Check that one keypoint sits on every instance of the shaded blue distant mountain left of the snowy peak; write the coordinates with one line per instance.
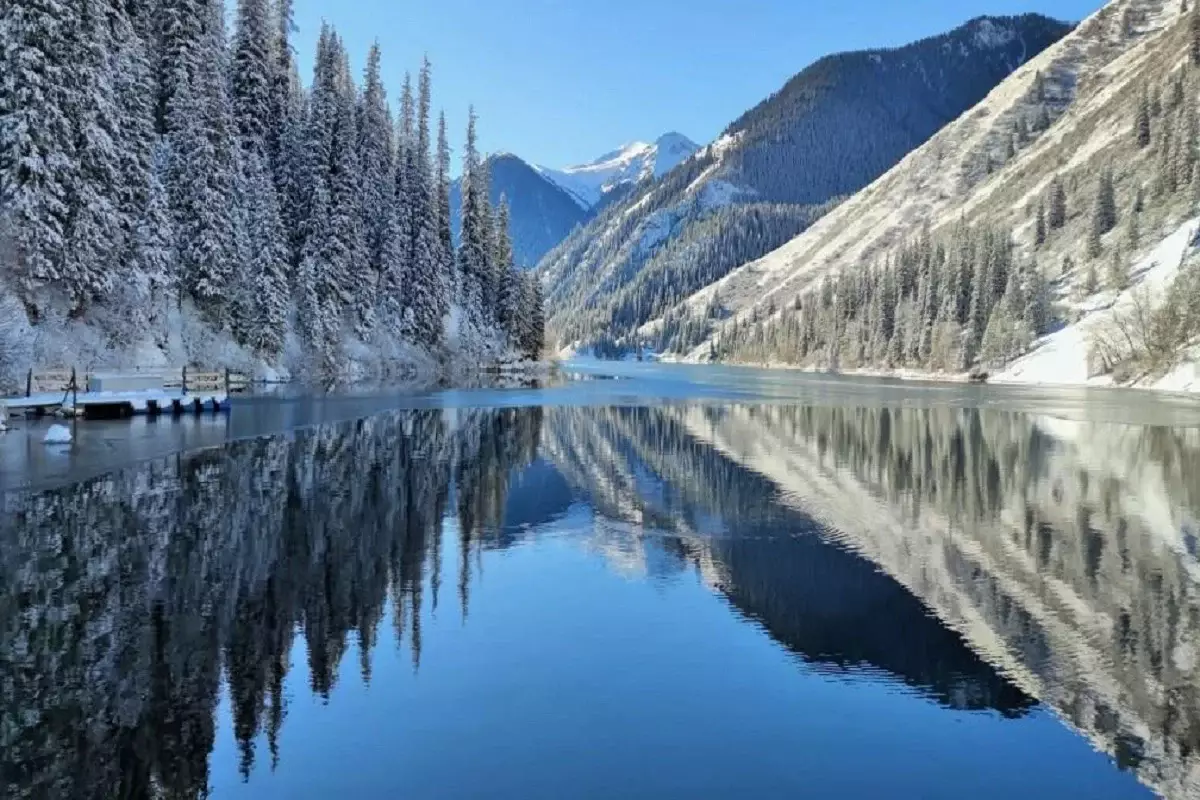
(542, 214)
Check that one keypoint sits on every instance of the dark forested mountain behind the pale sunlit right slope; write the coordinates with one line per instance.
(829, 133)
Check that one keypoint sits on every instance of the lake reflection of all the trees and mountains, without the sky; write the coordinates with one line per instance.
(988, 561)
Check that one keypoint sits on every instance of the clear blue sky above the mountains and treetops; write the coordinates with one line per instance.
(561, 82)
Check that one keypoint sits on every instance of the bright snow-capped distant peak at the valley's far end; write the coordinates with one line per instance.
(615, 172)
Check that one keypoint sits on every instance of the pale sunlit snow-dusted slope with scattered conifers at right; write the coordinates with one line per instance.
(1046, 236)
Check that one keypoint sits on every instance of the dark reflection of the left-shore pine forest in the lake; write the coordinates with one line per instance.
(166, 573)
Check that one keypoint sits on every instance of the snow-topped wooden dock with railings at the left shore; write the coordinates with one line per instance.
(119, 394)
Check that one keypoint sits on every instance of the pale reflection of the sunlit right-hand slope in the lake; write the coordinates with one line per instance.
(1067, 562)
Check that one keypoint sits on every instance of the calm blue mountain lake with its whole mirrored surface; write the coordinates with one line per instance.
(628, 581)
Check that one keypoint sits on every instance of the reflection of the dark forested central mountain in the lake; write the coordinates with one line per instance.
(658, 492)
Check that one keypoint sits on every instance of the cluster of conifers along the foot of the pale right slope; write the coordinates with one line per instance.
(943, 303)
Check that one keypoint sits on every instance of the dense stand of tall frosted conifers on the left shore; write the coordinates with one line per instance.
(170, 194)
